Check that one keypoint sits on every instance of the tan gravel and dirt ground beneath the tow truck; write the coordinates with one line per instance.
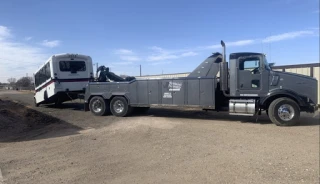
(162, 146)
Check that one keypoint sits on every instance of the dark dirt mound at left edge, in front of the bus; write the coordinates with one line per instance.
(17, 120)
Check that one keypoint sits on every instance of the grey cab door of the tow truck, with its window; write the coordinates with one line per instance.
(252, 79)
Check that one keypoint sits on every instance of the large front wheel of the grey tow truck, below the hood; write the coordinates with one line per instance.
(290, 115)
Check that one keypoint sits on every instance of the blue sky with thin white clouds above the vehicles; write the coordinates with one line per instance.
(163, 36)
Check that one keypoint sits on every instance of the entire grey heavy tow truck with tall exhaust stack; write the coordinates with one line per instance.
(246, 85)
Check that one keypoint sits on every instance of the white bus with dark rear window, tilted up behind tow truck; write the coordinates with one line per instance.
(61, 78)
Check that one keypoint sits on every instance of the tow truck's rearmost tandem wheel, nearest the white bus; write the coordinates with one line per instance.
(98, 106)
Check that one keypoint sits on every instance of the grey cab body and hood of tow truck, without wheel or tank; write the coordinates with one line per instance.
(252, 76)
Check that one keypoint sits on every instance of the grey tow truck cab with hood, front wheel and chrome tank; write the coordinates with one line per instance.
(253, 86)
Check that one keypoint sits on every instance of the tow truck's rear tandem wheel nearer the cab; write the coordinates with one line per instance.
(119, 107)
